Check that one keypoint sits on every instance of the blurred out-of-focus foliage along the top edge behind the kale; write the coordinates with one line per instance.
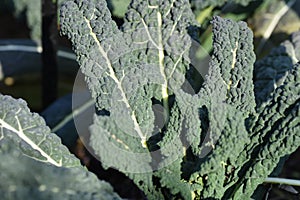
(282, 15)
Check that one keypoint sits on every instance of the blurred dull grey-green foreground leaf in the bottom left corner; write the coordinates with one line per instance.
(24, 178)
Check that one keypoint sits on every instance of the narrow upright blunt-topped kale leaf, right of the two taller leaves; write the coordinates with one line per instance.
(234, 56)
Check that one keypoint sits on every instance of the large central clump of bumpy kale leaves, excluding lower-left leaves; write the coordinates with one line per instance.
(216, 143)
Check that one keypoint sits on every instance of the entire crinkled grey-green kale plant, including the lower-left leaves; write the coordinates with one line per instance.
(152, 121)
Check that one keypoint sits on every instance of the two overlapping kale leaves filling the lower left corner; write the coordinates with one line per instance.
(34, 163)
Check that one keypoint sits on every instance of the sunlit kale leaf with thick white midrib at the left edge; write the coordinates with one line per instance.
(29, 132)
